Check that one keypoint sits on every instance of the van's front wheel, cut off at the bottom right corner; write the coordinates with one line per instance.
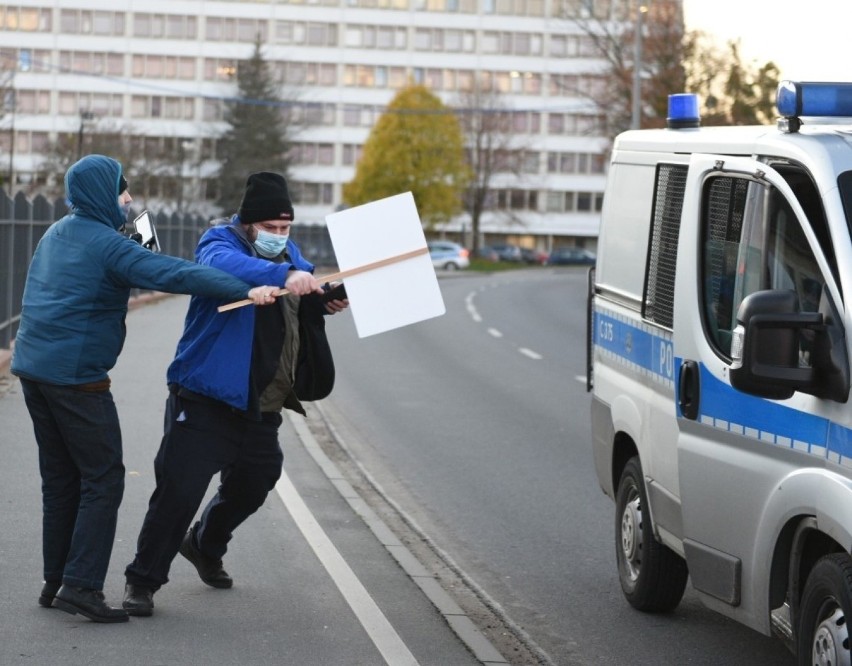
(823, 632)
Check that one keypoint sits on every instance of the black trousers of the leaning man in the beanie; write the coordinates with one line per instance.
(202, 439)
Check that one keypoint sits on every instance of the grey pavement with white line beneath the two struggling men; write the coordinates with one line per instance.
(313, 583)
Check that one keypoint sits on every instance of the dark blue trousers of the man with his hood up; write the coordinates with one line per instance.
(82, 479)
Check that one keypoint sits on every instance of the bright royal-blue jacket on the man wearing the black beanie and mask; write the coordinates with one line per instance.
(214, 354)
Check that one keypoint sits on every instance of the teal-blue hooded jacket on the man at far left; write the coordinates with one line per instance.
(78, 284)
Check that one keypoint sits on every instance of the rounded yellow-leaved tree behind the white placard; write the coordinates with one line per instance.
(415, 146)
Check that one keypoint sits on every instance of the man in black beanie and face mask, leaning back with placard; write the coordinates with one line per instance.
(232, 375)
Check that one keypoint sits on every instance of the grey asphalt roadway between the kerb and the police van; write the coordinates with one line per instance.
(476, 425)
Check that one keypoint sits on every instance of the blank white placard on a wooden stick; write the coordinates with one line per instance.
(390, 296)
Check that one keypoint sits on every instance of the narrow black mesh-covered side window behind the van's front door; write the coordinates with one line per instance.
(662, 250)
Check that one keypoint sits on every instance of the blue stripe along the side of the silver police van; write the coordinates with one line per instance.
(722, 406)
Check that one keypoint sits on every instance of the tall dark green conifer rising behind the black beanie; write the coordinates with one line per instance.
(257, 136)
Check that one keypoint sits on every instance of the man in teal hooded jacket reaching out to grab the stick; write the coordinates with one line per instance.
(71, 332)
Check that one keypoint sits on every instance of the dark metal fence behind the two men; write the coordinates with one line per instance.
(24, 221)
